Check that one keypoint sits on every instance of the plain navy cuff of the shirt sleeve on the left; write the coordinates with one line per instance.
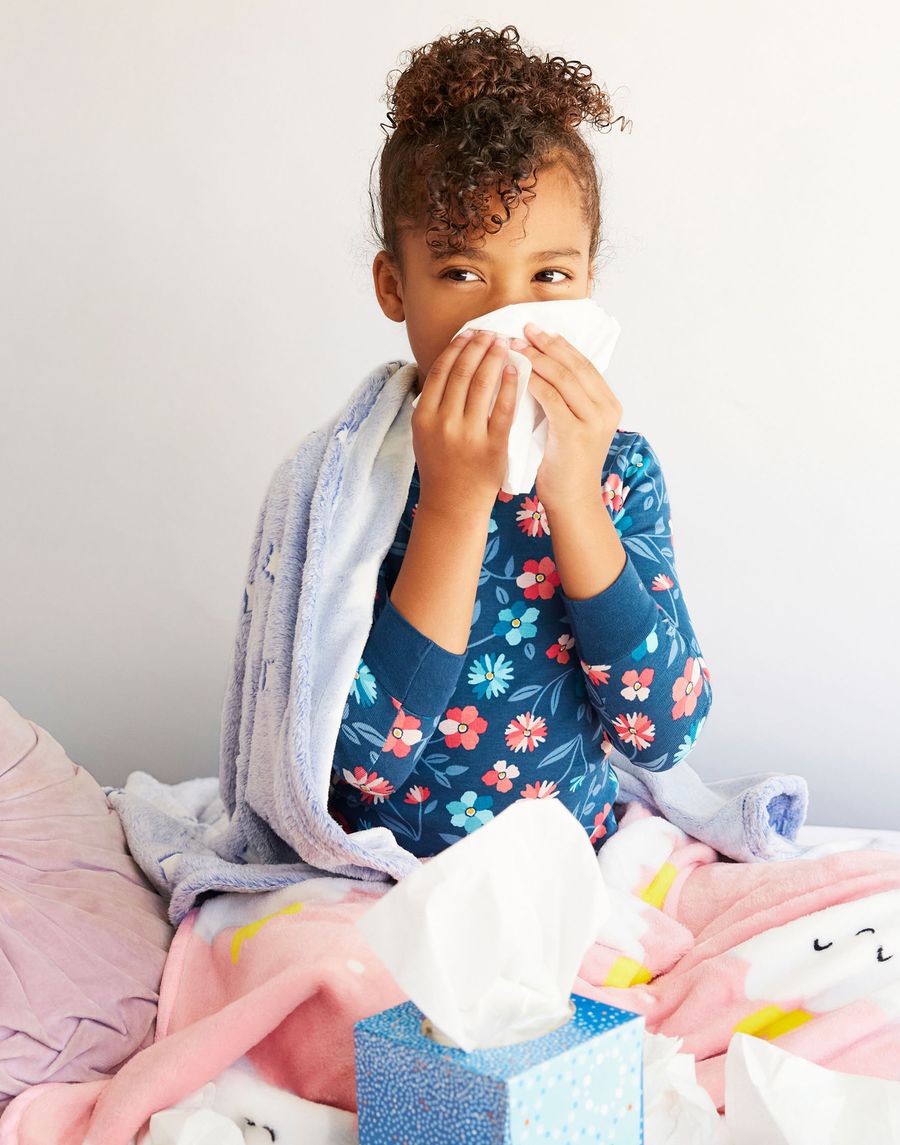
(413, 668)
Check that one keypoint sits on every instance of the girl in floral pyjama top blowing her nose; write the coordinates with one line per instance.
(516, 641)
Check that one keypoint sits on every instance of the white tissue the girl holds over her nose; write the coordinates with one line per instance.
(581, 321)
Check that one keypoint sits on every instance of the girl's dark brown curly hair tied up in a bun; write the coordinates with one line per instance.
(472, 115)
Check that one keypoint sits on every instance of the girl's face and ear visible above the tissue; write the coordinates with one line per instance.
(544, 257)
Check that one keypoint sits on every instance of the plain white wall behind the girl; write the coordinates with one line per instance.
(186, 290)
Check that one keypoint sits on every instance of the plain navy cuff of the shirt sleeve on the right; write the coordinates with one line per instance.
(617, 621)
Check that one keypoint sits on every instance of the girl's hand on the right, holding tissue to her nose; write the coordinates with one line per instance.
(583, 415)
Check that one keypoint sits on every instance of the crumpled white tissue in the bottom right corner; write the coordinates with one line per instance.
(773, 1097)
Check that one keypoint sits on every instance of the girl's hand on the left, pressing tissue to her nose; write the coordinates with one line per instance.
(461, 452)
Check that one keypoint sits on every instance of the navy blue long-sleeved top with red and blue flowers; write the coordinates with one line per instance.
(433, 744)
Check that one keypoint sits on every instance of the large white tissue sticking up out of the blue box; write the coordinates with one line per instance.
(487, 937)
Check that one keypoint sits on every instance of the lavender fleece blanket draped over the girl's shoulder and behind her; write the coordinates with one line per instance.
(328, 519)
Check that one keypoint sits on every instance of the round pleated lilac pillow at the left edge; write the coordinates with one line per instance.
(83, 936)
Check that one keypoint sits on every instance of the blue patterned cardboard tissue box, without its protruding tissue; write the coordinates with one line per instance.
(581, 1083)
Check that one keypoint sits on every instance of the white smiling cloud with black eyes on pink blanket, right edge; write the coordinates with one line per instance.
(826, 960)
